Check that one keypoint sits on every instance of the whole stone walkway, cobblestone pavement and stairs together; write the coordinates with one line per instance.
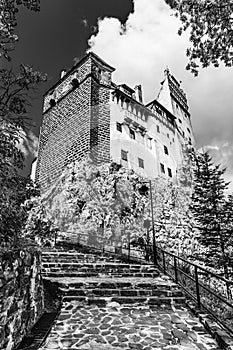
(110, 305)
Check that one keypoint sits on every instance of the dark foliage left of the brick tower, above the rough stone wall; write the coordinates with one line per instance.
(15, 93)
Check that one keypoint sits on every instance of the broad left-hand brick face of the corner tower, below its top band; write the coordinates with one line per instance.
(64, 134)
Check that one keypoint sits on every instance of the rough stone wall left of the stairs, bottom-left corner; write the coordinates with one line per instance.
(21, 294)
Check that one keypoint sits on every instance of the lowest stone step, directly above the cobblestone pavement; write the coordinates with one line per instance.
(152, 300)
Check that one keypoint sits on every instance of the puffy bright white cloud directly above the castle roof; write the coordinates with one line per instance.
(142, 50)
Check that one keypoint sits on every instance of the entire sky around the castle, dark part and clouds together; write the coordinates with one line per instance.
(139, 38)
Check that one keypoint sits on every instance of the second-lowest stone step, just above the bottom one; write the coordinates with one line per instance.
(121, 292)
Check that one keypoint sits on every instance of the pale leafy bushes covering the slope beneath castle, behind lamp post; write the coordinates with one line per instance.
(110, 204)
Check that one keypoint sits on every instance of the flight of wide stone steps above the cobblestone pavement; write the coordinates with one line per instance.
(100, 279)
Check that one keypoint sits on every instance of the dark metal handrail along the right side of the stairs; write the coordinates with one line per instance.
(167, 260)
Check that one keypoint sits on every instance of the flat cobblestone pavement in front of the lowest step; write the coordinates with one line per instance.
(116, 327)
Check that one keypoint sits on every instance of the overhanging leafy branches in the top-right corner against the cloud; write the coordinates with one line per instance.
(211, 35)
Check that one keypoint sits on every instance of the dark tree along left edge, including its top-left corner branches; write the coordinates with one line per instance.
(15, 99)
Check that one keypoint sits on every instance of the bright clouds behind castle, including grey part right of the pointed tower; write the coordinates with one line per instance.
(141, 49)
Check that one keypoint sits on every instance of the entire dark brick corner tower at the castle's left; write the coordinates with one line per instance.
(76, 119)
